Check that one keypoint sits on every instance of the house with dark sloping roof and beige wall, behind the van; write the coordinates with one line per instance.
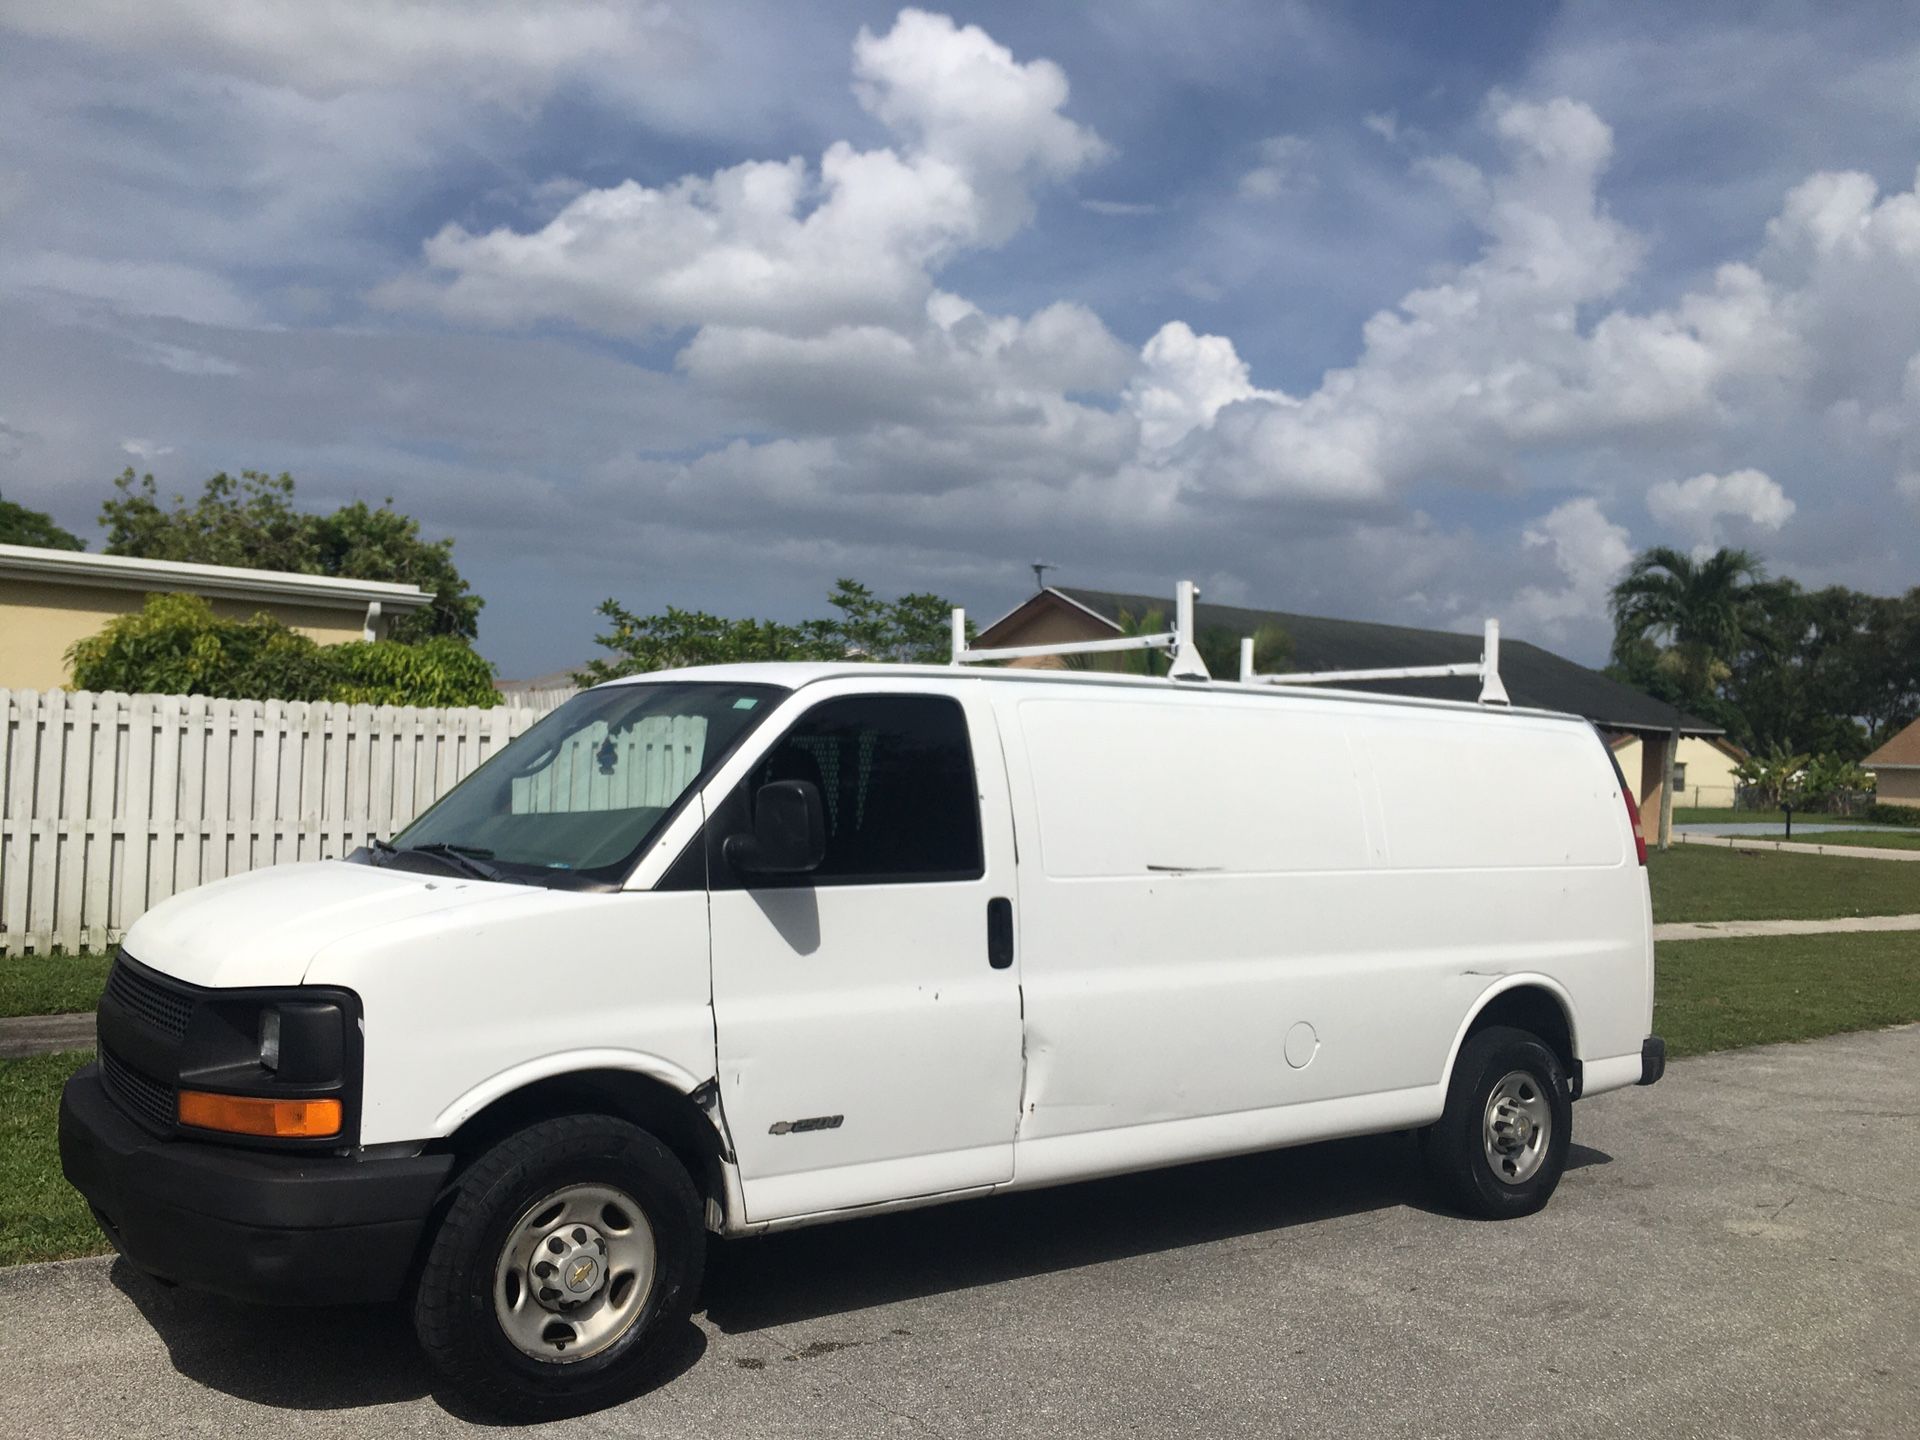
(1533, 677)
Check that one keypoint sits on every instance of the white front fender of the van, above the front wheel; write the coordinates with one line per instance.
(456, 1011)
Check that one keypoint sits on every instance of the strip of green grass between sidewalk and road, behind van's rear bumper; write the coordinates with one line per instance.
(1721, 996)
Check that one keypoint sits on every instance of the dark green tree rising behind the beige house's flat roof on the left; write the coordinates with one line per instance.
(254, 523)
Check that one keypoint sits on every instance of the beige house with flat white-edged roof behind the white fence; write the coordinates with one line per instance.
(51, 598)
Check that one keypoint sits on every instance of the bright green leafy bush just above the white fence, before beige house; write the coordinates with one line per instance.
(178, 646)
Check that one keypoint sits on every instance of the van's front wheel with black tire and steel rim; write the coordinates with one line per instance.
(565, 1270)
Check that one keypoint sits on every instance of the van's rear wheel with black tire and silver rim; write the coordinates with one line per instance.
(1456, 1145)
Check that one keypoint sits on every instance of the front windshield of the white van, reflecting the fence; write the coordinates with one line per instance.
(581, 794)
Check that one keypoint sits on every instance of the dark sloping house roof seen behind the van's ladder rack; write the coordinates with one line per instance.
(1535, 679)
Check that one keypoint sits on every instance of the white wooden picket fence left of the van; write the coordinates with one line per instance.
(112, 804)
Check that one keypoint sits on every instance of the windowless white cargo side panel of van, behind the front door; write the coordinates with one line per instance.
(1234, 905)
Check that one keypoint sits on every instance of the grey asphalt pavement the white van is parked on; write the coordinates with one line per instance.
(1737, 1255)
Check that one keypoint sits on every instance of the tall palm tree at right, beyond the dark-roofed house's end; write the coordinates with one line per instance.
(1702, 610)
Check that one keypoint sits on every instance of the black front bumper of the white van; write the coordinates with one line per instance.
(272, 1228)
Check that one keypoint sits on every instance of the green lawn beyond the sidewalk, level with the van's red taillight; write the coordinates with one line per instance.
(1706, 882)
